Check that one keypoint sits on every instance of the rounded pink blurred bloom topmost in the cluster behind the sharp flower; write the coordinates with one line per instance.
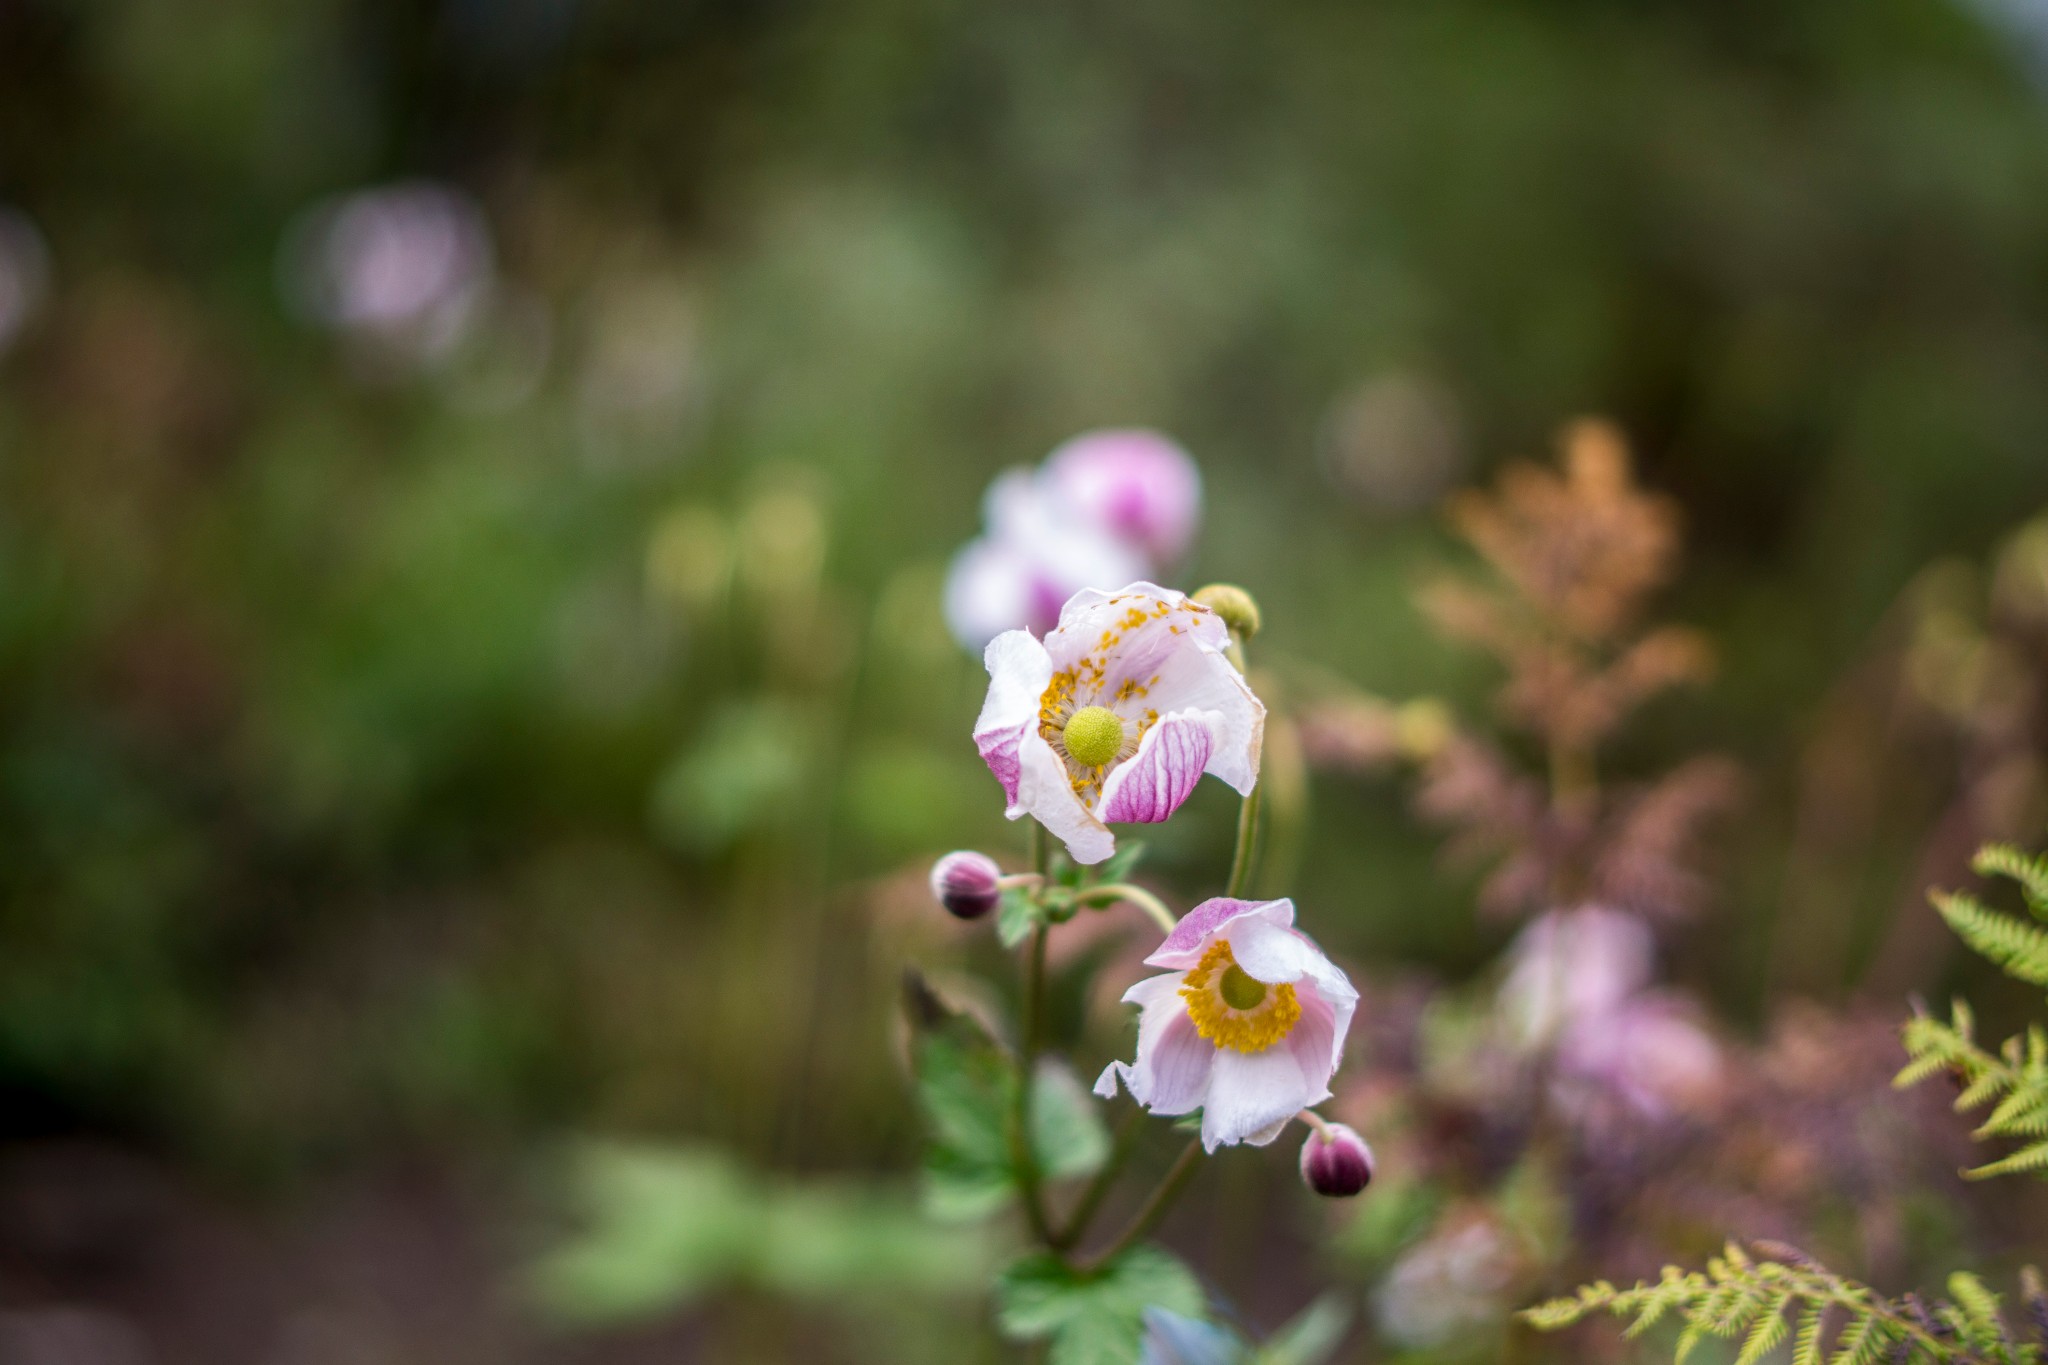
(1136, 484)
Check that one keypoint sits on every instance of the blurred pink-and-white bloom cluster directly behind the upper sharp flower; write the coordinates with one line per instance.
(1107, 509)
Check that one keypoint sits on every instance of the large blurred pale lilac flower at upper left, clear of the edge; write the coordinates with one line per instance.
(404, 267)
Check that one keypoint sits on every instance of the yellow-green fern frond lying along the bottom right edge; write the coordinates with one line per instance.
(1760, 1296)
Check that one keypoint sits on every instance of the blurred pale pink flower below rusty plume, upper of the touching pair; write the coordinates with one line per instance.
(1570, 967)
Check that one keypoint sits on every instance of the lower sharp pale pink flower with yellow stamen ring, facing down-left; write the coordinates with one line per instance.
(1246, 1026)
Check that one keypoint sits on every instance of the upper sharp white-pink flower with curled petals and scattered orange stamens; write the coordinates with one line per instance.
(1117, 715)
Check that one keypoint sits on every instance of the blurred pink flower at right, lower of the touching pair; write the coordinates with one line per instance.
(1652, 1057)
